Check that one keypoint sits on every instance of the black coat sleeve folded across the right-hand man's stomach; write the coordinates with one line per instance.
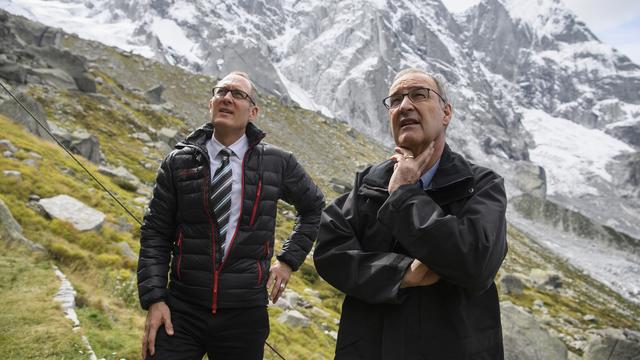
(340, 259)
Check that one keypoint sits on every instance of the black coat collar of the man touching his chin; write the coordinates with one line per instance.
(453, 168)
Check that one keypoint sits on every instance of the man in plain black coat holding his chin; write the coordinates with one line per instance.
(416, 244)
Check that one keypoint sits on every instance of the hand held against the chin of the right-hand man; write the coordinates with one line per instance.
(408, 168)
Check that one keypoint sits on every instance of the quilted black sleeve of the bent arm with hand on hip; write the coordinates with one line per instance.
(300, 191)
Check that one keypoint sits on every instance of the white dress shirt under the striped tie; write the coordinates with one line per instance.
(238, 149)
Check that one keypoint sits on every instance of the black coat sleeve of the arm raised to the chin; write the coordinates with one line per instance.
(467, 249)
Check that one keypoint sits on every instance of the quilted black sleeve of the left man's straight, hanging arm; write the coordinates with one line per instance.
(157, 231)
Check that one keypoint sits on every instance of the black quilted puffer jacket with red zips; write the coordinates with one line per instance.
(179, 225)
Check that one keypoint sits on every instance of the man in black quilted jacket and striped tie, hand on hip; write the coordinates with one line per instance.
(211, 222)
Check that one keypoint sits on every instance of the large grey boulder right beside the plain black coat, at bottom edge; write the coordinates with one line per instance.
(524, 339)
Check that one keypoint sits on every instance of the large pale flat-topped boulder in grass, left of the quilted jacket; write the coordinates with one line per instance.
(67, 208)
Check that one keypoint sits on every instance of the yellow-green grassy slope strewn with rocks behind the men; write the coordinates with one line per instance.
(105, 281)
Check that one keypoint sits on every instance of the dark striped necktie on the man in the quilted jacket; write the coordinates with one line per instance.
(221, 196)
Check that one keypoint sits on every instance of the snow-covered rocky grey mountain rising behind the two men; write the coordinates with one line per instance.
(529, 82)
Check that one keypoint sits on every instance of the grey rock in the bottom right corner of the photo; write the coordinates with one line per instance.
(614, 344)
